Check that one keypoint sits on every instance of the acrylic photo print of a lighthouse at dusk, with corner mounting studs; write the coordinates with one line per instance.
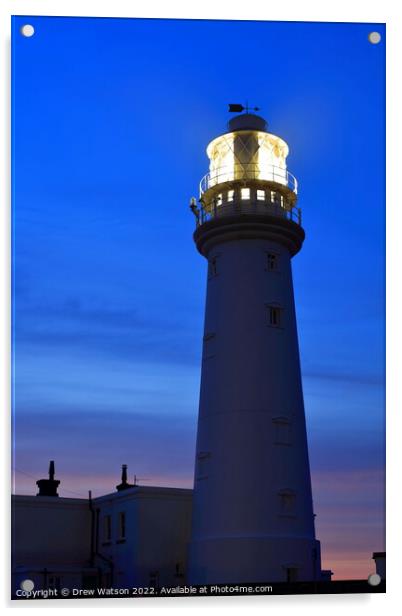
(198, 301)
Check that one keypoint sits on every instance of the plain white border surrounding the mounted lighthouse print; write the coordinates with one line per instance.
(387, 11)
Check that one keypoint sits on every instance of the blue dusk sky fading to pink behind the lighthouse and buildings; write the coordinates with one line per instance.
(111, 121)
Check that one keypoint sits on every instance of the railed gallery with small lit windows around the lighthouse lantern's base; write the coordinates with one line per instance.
(247, 190)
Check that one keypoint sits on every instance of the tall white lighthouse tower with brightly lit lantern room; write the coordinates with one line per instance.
(253, 515)
